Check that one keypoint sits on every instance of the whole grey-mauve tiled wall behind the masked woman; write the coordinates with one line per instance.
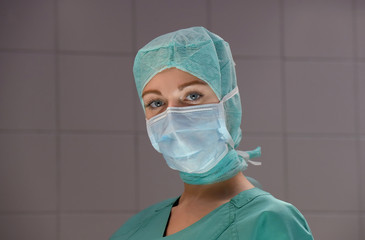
(75, 160)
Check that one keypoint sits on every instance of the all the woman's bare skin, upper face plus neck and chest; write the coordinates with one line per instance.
(175, 88)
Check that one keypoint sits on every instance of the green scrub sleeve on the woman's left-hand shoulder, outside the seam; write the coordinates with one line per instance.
(136, 221)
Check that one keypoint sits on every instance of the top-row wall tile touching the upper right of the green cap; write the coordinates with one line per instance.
(251, 27)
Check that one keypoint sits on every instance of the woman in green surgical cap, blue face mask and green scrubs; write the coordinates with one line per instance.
(187, 85)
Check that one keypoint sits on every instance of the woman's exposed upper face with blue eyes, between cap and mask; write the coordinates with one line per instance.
(175, 88)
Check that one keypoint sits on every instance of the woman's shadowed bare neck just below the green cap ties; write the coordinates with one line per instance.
(221, 191)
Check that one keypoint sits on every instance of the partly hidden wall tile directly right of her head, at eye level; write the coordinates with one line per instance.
(260, 87)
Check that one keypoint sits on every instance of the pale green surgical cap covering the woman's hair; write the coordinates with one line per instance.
(201, 53)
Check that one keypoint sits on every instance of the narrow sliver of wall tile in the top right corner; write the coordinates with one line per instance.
(360, 30)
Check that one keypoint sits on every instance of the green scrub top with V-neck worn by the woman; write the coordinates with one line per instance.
(251, 215)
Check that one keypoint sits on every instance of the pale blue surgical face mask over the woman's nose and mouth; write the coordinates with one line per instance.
(192, 139)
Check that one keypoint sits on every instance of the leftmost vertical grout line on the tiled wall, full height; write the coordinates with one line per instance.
(57, 118)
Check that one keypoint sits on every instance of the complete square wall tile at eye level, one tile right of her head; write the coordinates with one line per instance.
(319, 97)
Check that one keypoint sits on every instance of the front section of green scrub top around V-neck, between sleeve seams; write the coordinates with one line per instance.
(214, 223)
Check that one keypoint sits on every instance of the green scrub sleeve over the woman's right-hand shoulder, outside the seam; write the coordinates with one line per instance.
(271, 218)
